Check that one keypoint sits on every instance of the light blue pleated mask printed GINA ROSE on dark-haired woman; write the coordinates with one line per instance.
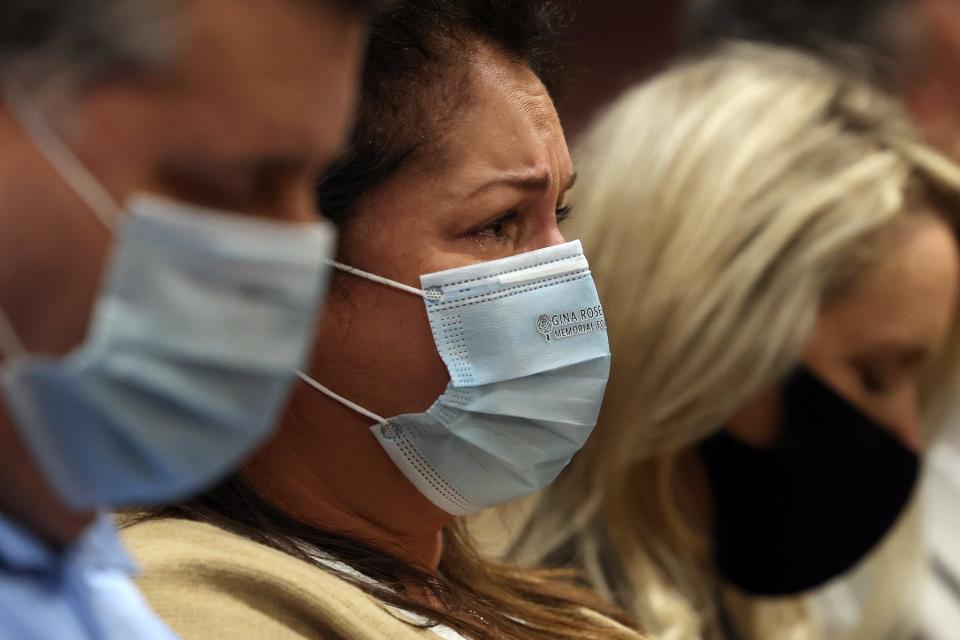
(525, 343)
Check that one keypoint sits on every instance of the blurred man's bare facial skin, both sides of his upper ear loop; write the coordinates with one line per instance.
(255, 105)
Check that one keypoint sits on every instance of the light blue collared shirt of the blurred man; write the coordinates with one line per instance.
(82, 593)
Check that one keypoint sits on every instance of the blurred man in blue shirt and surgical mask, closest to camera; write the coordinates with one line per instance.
(162, 263)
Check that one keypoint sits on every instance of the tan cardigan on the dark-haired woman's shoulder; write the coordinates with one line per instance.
(209, 584)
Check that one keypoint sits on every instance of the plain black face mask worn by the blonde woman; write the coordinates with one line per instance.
(790, 517)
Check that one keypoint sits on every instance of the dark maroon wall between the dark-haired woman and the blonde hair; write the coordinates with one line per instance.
(612, 44)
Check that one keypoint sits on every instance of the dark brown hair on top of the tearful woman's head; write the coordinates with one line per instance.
(416, 77)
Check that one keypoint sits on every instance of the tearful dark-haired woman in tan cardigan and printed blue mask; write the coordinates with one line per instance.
(344, 525)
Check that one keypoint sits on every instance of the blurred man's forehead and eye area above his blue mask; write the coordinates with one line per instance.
(248, 119)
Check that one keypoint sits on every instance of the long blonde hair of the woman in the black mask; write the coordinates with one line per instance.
(721, 204)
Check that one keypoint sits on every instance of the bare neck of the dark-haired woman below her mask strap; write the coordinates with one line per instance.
(329, 471)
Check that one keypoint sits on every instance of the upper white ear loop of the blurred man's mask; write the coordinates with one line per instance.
(59, 155)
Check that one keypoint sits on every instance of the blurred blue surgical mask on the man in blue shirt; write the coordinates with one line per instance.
(200, 320)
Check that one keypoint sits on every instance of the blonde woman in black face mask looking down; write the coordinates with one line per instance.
(777, 255)
